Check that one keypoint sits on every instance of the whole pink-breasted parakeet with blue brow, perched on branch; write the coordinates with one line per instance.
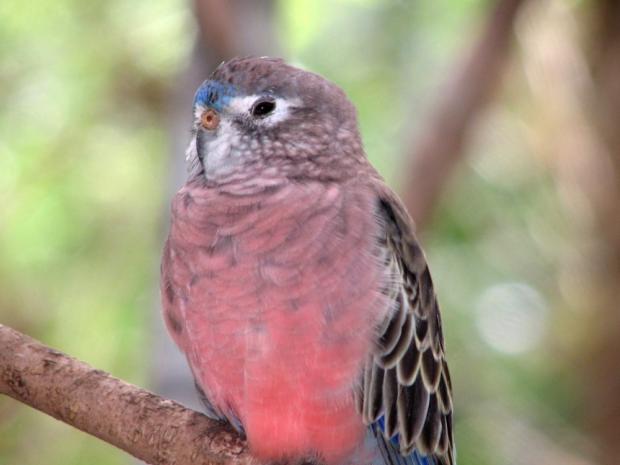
(293, 282)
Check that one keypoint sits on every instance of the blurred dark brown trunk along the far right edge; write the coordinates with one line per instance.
(604, 367)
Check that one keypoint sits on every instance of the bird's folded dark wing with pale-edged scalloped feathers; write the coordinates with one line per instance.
(406, 396)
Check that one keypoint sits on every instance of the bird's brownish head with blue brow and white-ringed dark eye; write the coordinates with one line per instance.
(262, 118)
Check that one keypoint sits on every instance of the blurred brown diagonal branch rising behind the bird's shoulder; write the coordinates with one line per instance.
(441, 143)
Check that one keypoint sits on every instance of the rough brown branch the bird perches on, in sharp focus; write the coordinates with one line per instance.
(153, 429)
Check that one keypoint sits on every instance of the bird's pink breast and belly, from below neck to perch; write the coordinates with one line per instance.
(280, 298)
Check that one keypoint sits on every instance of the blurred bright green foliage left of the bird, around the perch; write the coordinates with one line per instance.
(82, 156)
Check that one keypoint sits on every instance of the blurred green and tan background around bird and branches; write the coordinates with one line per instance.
(519, 241)
